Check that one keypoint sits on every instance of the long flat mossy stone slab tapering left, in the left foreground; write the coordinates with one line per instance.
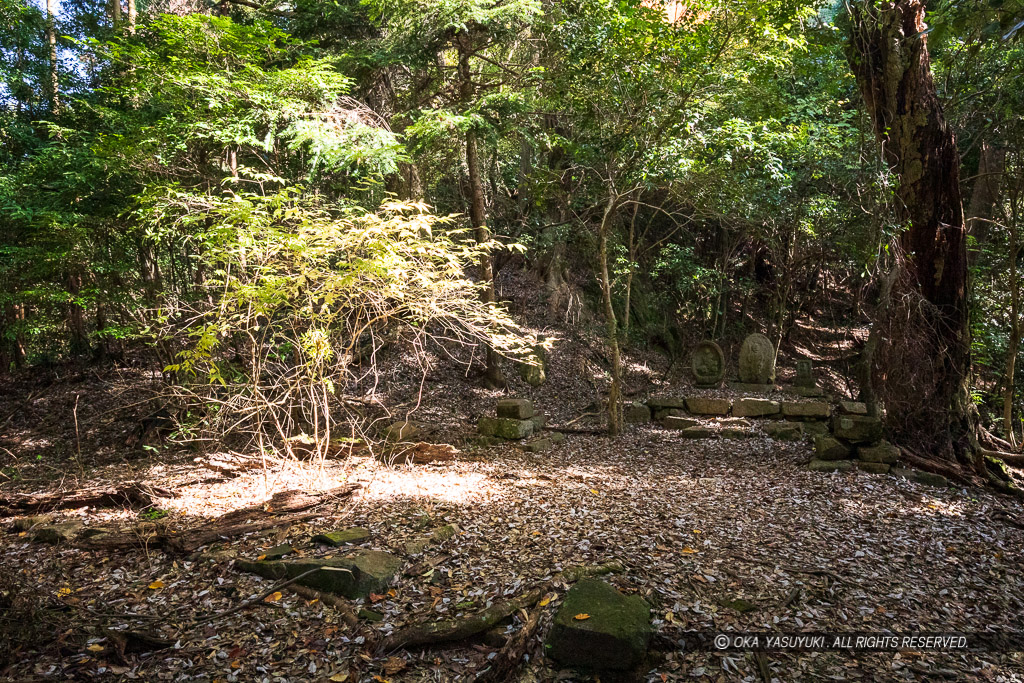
(356, 576)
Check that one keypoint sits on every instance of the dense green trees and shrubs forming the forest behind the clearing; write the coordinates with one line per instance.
(266, 203)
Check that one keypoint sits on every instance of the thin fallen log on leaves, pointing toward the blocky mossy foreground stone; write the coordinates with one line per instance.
(459, 629)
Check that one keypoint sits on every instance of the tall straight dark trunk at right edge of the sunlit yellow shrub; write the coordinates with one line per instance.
(478, 206)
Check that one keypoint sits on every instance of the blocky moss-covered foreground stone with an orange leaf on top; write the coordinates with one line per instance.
(599, 628)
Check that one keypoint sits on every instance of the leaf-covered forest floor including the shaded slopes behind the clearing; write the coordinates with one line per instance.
(715, 535)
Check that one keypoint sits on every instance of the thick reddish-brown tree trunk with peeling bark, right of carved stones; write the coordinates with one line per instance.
(889, 57)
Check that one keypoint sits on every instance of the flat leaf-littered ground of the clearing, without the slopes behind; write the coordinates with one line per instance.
(698, 526)
